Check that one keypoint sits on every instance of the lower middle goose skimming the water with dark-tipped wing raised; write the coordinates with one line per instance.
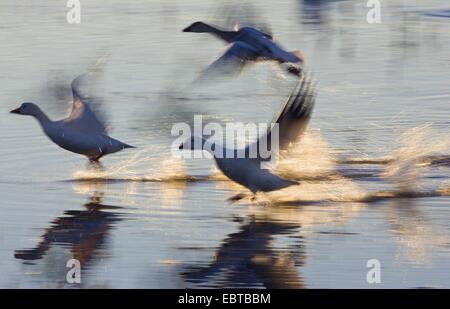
(246, 170)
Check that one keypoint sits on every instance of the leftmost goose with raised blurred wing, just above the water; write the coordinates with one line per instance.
(81, 132)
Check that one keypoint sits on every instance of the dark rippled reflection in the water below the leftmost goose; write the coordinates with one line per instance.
(84, 232)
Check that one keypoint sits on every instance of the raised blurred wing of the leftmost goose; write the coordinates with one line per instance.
(82, 115)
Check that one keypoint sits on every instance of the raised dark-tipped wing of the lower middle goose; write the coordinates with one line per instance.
(293, 119)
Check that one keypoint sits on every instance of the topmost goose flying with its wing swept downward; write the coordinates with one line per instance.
(248, 44)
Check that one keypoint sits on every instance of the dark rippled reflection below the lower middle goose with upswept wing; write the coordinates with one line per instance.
(247, 259)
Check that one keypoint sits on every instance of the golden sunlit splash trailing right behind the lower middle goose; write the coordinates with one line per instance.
(314, 164)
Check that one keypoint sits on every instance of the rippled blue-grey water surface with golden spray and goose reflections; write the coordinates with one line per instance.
(374, 167)
